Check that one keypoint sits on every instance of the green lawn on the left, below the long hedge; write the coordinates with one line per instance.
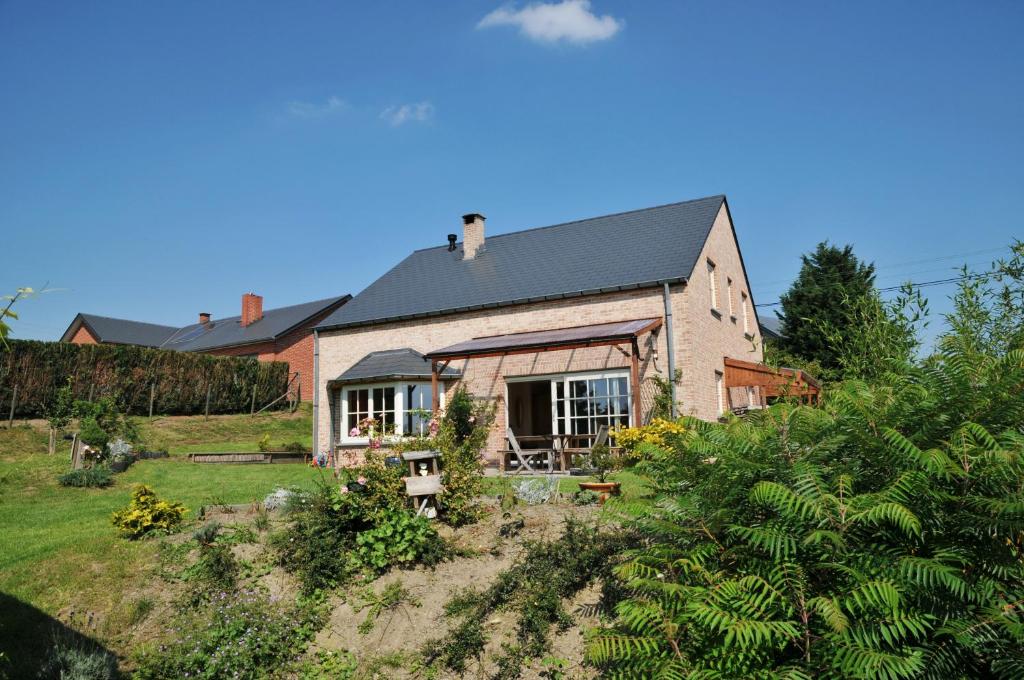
(59, 550)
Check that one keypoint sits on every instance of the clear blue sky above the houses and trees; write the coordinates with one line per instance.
(161, 159)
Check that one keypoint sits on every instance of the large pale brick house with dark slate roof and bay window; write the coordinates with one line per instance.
(565, 328)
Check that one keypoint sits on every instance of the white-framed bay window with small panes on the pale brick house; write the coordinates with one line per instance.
(400, 409)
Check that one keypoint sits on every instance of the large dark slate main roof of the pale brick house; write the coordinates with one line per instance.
(563, 261)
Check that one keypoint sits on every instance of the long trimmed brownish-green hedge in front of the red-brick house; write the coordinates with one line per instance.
(125, 372)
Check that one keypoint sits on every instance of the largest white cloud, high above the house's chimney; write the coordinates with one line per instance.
(571, 21)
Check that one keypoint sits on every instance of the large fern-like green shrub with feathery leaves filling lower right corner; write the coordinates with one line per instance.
(881, 536)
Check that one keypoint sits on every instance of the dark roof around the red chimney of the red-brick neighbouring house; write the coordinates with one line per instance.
(230, 332)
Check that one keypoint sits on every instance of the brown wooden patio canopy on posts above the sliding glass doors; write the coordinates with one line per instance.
(612, 334)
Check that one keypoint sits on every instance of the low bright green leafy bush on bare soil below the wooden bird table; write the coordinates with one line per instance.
(398, 538)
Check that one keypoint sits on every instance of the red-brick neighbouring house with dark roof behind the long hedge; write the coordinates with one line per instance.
(284, 334)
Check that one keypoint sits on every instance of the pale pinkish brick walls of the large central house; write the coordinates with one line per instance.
(702, 342)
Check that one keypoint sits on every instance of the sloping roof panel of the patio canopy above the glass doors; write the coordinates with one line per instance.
(576, 336)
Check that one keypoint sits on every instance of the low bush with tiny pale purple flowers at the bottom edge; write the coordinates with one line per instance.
(240, 636)
